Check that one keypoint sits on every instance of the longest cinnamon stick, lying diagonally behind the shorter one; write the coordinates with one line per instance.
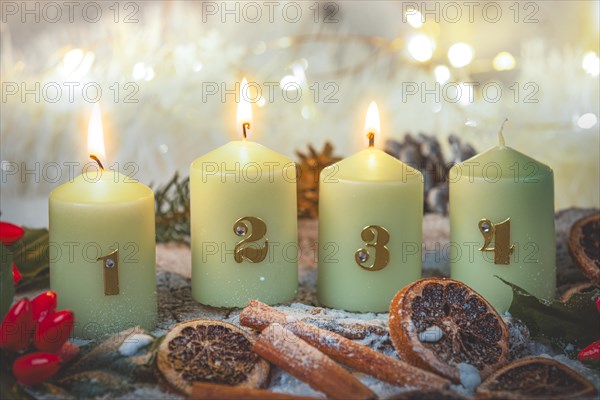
(361, 358)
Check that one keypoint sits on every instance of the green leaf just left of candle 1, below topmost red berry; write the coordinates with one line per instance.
(31, 253)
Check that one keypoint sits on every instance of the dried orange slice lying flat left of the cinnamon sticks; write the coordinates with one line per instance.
(210, 351)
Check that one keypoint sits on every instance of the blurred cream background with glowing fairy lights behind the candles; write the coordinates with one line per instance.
(170, 55)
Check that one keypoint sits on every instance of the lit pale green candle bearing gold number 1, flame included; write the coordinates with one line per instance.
(102, 246)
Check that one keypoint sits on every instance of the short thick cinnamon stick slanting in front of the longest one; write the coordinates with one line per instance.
(292, 354)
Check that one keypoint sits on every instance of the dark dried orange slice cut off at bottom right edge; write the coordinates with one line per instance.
(536, 378)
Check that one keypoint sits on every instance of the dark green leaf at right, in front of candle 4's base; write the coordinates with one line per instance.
(575, 322)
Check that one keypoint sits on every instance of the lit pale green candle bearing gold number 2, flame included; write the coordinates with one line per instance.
(243, 221)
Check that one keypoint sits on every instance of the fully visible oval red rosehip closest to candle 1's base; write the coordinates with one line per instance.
(53, 331)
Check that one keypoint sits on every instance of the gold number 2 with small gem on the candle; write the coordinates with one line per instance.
(252, 229)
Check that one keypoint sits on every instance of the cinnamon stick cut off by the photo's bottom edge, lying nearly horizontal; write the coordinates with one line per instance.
(211, 391)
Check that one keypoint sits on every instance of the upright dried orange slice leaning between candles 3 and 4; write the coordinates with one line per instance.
(438, 324)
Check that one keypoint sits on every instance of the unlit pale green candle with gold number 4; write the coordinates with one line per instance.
(502, 224)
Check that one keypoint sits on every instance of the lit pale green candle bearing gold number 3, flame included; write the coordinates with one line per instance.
(370, 216)
